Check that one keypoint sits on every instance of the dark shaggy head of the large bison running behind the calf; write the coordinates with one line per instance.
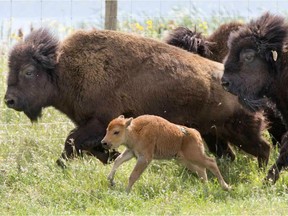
(31, 76)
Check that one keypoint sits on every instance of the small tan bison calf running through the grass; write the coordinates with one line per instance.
(150, 137)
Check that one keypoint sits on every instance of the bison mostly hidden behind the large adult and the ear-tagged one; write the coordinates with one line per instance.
(215, 48)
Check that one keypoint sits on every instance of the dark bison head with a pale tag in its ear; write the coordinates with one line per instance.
(254, 59)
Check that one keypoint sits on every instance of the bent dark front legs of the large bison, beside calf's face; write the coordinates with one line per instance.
(87, 138)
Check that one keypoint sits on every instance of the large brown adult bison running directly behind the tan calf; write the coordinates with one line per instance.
(94, 76)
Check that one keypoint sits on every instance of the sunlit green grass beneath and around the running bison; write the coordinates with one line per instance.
(31, 182)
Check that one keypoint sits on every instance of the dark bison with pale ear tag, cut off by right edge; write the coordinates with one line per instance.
(256, 69)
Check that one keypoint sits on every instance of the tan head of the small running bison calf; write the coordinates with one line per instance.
(116, 132)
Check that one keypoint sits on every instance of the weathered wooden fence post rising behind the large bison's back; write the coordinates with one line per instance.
(111, 14)
